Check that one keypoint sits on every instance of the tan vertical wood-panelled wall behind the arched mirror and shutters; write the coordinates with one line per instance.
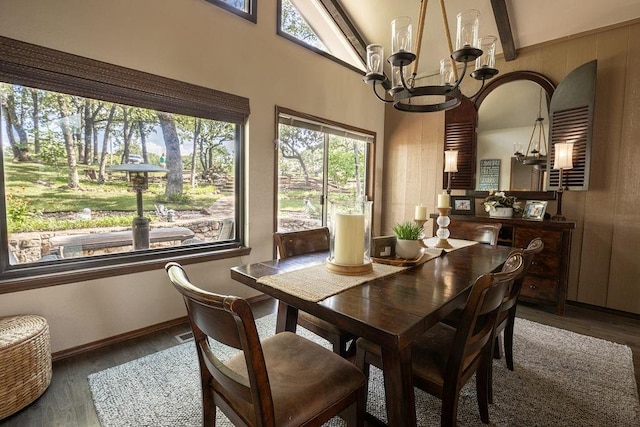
(605, 270)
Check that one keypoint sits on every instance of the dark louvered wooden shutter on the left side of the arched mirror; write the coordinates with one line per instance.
(460, 134)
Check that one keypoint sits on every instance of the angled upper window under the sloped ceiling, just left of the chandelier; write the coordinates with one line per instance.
(323, 27)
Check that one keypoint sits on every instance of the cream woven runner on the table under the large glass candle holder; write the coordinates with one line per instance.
(317, 283)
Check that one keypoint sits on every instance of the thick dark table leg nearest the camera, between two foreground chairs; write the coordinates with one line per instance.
(398, 385)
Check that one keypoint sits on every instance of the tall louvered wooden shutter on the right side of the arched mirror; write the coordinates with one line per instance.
(571, 113)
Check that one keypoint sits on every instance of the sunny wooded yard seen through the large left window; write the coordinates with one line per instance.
(57, 150)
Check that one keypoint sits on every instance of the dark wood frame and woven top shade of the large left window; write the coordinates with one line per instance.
(36, 66)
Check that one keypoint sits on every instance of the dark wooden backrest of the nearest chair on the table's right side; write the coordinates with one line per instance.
(475, 332)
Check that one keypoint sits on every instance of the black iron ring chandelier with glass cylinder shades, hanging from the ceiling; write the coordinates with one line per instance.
(406, 95)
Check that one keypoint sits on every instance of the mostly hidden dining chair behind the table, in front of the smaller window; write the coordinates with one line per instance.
(304, 242)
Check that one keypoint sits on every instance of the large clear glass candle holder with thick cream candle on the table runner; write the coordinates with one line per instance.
(350, 238)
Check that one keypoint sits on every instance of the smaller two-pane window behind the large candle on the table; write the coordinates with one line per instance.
(319, 161)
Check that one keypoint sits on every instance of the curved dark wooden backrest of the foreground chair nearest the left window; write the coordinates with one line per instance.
(228, 320)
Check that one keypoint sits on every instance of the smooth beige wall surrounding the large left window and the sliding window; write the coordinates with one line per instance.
(195, 42)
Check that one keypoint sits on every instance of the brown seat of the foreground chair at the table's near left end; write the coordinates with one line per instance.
(300, 371)
